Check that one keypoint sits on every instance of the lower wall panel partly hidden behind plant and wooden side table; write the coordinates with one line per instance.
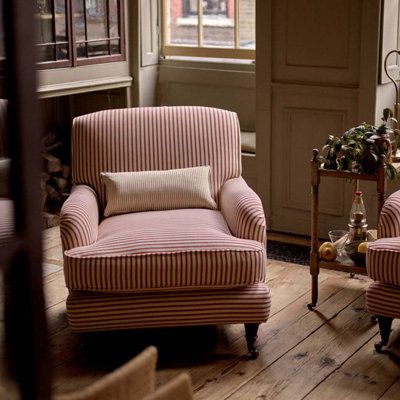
(303, 117)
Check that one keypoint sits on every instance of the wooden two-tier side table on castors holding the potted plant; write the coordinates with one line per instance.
(316, 173)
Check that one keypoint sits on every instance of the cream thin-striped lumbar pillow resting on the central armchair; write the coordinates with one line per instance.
(157, 190)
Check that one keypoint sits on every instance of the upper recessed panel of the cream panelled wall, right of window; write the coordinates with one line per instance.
(316, 41)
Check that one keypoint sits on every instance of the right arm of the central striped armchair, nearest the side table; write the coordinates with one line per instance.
(243, 210)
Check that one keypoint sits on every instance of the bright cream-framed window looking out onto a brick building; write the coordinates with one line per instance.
(209, 28)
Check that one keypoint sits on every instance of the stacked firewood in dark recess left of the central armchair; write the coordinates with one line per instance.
(55, 178)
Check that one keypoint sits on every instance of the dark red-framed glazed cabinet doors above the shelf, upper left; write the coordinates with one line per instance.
(79, 32)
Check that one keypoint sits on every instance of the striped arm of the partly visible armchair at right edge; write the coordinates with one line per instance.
(389, 219)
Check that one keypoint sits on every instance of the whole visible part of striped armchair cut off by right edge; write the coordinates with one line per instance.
(383, 266)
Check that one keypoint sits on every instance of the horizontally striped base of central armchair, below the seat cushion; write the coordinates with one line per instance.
(91, 311)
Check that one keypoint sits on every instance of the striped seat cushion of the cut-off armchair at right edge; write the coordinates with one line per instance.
(383, 260)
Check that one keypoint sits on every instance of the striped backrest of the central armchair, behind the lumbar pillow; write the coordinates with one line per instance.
(144, 139)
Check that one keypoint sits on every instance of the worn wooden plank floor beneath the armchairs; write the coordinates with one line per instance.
(320, 355)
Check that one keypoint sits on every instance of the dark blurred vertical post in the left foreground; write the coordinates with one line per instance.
(26, 332)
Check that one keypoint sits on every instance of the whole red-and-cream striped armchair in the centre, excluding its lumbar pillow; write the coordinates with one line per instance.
(169, 267)
